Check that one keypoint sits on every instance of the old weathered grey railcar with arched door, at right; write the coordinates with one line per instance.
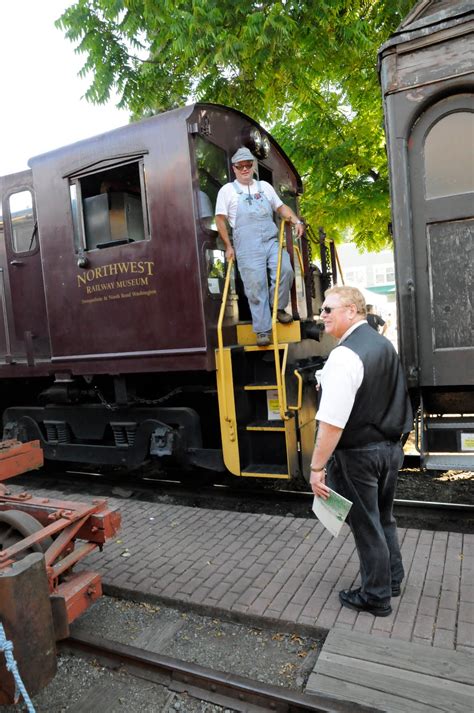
(427, 77)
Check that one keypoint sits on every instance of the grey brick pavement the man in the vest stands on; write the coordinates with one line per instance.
(287, 571)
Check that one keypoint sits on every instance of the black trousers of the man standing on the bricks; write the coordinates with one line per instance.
(367, 476)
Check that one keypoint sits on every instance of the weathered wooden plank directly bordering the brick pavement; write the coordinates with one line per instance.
(450, 665)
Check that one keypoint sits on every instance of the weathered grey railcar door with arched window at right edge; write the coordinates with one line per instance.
(441, 151)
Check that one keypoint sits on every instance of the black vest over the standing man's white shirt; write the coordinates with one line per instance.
(382, 409)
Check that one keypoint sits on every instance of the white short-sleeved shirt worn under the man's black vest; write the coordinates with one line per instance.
(340, 378)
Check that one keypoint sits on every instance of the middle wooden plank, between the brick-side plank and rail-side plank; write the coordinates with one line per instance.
(442, 695)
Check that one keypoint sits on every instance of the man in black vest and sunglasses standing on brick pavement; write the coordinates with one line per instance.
(363, 412)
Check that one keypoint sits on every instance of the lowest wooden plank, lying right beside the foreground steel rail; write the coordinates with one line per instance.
(386, 702)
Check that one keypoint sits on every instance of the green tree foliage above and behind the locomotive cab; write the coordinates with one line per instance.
(305, 69)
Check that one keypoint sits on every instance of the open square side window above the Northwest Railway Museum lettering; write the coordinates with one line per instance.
(109, 207)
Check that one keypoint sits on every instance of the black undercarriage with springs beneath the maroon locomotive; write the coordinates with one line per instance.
(122, 431)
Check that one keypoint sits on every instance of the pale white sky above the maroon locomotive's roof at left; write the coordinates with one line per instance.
(41, 102)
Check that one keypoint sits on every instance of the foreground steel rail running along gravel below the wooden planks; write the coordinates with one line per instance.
(201, 682)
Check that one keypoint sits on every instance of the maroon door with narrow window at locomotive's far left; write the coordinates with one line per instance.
(25, 332)
